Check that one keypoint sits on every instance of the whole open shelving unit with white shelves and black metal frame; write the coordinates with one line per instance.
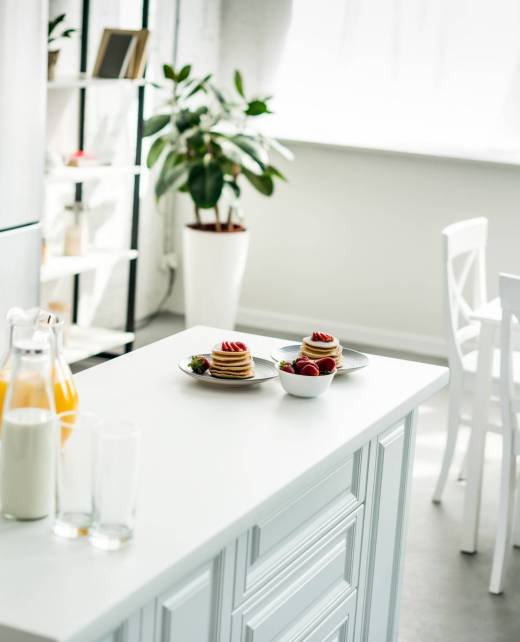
(86, 341)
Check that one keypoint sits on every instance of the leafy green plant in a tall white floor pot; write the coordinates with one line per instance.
(205, 146)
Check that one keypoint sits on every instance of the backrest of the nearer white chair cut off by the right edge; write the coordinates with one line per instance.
(510, 300)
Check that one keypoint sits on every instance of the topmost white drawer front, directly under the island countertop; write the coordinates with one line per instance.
(279, 539)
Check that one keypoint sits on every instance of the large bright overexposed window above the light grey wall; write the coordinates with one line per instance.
(403, 72)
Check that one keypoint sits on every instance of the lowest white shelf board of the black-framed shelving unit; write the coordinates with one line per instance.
(84, 342)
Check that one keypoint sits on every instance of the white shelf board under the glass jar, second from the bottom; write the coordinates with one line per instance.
(58, 267)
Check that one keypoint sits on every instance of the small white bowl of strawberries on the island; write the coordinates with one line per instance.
(306, 377)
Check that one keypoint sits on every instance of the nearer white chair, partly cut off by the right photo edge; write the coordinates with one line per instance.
(510, 406)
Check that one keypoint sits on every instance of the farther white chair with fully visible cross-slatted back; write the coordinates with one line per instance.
(464, 275)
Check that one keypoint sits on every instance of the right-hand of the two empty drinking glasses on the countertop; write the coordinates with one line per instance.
(116, 474)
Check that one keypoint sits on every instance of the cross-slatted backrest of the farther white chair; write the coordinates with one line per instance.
(464, 264)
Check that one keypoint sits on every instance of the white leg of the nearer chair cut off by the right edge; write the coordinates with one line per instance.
(505, 518)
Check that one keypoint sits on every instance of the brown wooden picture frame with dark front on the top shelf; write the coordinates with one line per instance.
(122, 53)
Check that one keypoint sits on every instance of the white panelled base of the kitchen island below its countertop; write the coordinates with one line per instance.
(323, 566)
